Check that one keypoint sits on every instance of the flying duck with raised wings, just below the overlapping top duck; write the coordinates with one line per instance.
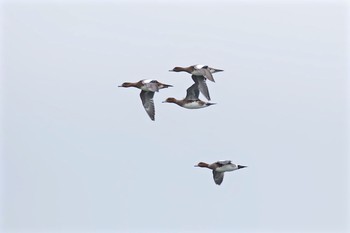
(191, 100)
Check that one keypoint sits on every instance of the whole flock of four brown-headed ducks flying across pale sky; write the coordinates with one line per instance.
(199, 74)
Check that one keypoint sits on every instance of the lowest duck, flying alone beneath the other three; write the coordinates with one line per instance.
(219, 168)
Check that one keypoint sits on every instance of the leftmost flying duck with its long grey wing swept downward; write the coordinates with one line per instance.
(148, 88)
